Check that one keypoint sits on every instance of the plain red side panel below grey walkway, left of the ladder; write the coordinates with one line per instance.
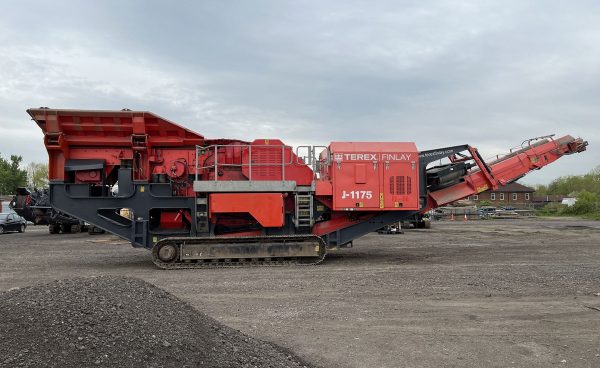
(266, 208)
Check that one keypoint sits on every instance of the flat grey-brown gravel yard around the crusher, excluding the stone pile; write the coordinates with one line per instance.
(498, 293)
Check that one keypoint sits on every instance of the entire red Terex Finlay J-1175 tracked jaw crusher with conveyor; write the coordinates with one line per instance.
(198, 202)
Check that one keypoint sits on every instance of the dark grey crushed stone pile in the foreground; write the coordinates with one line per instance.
(120, 322)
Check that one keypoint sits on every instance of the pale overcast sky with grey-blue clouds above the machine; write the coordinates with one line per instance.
(439, 73)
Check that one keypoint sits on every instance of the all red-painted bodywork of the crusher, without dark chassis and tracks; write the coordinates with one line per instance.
(356, 181)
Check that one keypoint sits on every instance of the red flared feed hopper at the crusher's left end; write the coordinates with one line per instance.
(112, 136)
